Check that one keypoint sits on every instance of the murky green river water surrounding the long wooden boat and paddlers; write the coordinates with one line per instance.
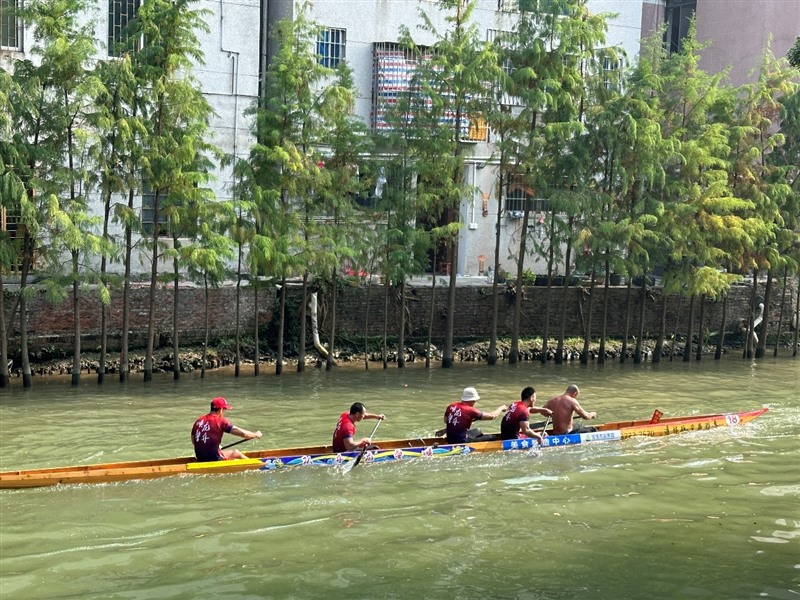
(711, 514)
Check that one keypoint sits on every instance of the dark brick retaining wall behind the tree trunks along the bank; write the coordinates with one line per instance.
(50, 325)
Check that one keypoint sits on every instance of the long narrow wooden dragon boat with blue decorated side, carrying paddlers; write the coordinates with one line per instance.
(392, 450)
